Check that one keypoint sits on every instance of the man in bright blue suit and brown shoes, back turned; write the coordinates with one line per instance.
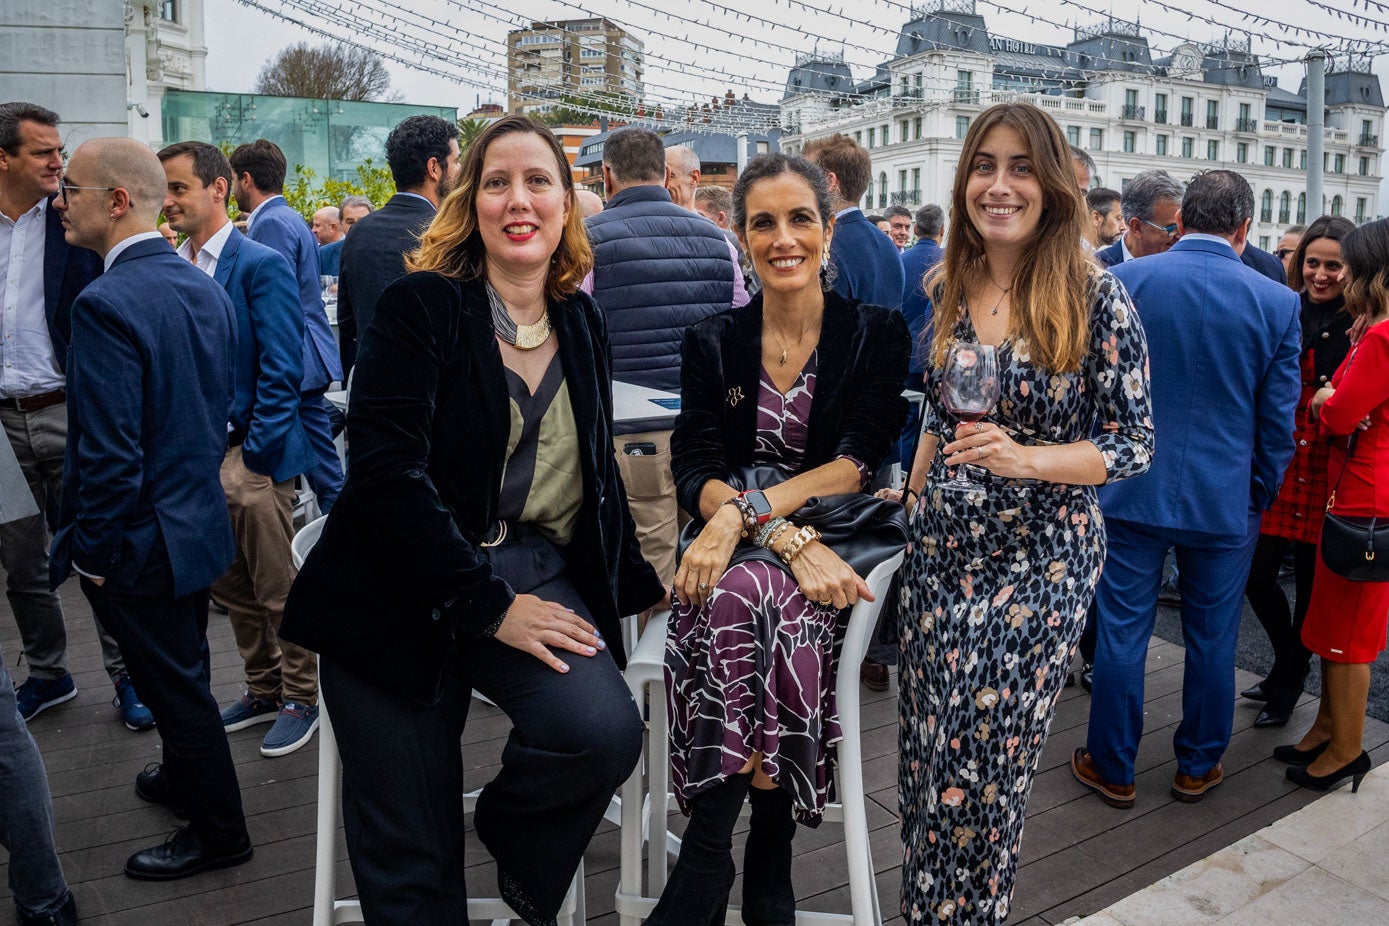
(1224, 344)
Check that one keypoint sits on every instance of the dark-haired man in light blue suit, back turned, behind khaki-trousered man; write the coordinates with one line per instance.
(258, 183)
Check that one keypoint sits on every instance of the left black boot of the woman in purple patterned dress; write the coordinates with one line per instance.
(697, 893)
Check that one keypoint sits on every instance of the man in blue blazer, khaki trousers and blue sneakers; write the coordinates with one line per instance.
(267, 445)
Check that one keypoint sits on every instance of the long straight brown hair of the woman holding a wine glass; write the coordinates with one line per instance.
(1049, 284)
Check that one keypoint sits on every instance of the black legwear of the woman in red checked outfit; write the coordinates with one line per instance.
(1270, 606)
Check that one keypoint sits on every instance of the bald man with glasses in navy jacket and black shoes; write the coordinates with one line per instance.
(144, 519)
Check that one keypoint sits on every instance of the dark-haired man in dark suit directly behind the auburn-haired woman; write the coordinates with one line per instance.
(423, 153)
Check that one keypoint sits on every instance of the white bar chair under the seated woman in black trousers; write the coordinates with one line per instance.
(328, 910)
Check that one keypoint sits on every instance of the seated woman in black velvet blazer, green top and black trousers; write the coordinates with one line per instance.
(417, 595)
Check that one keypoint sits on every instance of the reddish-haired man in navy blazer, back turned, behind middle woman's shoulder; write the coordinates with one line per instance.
(866, 263)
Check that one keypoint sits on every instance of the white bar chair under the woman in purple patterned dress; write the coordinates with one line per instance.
(645, 821)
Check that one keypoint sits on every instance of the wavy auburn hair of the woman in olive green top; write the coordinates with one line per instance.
(454, 245)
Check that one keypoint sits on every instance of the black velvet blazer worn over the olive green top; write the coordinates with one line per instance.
(395, 584)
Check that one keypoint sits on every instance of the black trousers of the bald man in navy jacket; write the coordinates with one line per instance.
(165, 643)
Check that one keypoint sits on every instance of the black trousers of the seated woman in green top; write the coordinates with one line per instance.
(576, 738)
